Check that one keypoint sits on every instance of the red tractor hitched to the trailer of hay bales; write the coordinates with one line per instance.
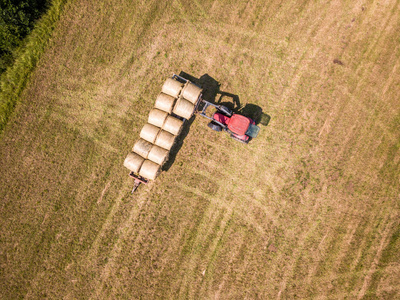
(240, 128)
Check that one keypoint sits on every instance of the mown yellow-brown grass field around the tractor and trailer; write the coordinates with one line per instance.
(309, 209)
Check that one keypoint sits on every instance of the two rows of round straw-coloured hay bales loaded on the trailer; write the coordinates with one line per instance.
(158, 136)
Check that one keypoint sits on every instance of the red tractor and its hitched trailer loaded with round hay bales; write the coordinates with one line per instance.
(178, 101)
